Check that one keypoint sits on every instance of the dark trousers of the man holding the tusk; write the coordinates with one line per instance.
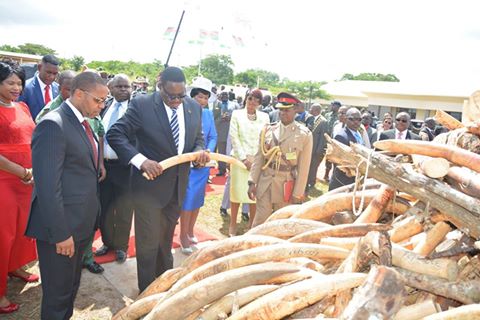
(154, 228)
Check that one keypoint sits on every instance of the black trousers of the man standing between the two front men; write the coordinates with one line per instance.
(117, 207)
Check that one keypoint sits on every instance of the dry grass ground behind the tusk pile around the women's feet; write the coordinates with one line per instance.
(210, 220)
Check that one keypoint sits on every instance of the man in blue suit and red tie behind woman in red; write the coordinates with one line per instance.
(41, 89)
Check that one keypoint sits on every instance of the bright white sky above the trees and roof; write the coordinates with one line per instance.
(425, 42)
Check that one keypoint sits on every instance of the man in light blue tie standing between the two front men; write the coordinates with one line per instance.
(117, 208)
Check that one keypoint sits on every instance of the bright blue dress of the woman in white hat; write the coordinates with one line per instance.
(197, 180)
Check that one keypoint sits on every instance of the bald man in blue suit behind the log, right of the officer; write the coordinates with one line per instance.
(349, 133)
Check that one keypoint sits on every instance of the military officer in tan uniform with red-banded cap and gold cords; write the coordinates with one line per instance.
(279, 173)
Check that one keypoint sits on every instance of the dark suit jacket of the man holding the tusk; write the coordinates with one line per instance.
(147, 120)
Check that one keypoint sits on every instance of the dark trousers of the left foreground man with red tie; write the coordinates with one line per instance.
(60, 279)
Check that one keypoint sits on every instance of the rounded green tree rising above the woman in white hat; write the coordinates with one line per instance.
(217, 68)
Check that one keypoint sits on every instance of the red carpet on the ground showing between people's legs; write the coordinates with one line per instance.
(216, 187)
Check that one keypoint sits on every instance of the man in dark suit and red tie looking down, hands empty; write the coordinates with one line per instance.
(65, 201)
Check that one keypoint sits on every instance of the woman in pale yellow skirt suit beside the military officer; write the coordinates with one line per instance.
(245, 128)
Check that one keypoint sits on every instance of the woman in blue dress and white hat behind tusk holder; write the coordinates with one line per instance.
(195, 195)
